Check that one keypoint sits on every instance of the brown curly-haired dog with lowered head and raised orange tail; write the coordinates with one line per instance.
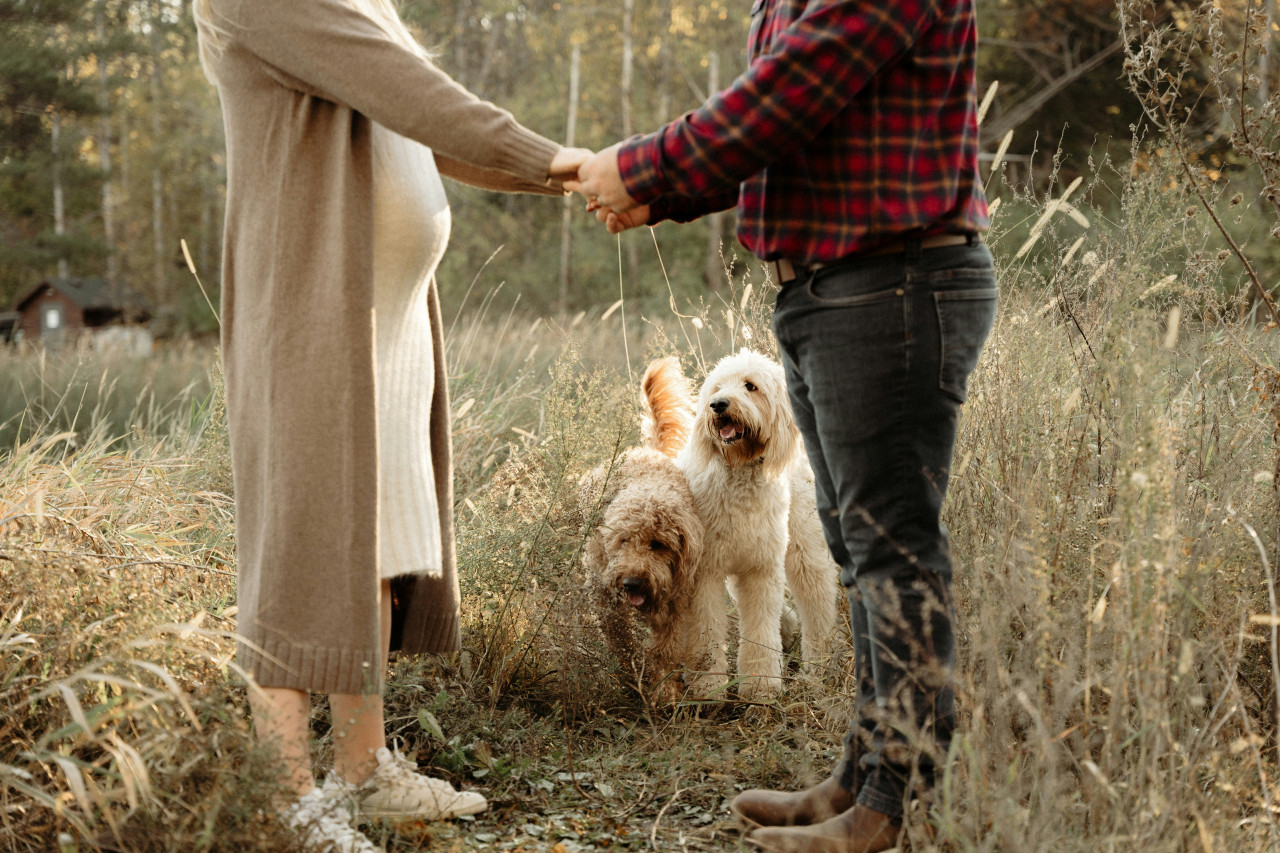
(643, 550)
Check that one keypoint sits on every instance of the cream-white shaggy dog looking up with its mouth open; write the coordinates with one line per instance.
(755, 491)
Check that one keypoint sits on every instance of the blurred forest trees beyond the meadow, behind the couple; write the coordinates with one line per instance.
(112, 152)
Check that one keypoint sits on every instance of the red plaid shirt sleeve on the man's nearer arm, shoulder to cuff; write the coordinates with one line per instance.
(813, 70)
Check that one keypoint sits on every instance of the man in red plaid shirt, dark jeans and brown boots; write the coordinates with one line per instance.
(851, 150)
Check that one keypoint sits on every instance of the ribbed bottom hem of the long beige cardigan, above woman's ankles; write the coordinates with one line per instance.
(275, 663)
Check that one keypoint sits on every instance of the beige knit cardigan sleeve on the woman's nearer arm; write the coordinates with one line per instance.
(342, 56)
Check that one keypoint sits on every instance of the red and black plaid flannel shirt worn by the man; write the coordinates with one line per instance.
(854, 125)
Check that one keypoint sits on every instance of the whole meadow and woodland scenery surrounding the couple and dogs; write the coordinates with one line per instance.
(1114, 505)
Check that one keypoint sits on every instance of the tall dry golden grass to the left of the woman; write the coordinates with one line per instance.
(124, 723)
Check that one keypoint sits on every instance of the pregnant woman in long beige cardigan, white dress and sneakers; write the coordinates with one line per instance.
(337, 129)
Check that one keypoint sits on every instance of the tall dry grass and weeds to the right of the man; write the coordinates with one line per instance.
(1116, 508)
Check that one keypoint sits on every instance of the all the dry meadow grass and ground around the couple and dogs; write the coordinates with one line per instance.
(1114, 518)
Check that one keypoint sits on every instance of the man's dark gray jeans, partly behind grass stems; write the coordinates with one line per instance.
(877, 354)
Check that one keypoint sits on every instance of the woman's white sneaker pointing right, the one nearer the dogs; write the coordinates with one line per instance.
(396, 791)
